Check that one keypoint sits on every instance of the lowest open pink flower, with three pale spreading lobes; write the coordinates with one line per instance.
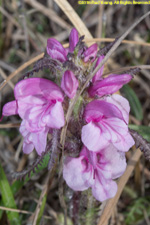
(95, 170)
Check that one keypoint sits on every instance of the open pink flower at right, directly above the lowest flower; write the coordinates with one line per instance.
(107, 122)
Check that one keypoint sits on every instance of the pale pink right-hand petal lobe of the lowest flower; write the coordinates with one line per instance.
(117, 164)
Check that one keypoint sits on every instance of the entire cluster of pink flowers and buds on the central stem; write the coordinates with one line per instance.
(41, 104)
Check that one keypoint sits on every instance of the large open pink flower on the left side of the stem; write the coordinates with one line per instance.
(39, 103)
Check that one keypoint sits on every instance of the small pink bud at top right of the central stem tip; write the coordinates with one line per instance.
(90, 53)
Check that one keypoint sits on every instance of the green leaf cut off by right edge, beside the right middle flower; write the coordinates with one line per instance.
(144, 131)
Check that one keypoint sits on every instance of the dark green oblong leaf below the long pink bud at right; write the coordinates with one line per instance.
(136, 108)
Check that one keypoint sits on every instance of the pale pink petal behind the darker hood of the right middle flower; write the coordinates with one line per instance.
(121, 103)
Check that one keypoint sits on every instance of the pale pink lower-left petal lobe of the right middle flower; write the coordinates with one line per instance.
(93, 138)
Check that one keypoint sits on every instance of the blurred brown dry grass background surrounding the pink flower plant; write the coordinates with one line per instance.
(25, 27)
